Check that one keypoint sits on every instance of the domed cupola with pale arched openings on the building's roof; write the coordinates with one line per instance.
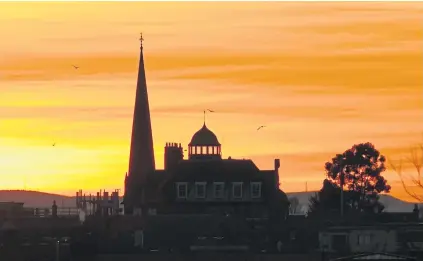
(204, 145)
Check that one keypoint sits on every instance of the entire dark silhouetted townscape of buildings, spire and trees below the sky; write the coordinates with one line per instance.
(202, 206)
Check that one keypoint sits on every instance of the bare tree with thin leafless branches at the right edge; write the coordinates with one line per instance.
(412, 183)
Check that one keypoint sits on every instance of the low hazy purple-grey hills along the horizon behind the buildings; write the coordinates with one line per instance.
(45, 200)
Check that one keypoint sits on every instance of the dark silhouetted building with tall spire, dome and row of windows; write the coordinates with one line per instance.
(202, 182)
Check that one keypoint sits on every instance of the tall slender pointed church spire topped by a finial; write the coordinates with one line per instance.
(141, 158)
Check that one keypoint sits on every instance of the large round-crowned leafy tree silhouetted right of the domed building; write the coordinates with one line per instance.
(359, 170)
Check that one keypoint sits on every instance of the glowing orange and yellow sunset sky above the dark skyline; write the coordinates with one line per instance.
(320, 76)
